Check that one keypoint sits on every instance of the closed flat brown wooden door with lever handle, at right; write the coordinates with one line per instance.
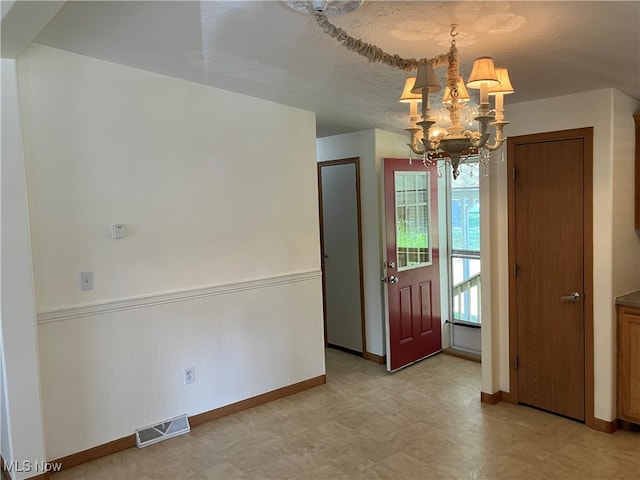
(549, 275)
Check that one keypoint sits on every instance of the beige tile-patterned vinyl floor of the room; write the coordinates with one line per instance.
(423, 422)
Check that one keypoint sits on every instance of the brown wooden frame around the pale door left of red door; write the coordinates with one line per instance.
(330, 163)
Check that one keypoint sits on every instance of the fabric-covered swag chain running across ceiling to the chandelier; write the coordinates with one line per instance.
(373, 52)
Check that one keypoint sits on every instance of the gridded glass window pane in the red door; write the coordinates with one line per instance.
(413, 243)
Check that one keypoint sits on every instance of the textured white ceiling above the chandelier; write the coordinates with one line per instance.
(267, 50)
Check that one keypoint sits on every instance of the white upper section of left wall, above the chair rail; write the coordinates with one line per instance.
(177, 162)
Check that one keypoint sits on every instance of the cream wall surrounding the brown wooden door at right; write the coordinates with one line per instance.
(608, 112)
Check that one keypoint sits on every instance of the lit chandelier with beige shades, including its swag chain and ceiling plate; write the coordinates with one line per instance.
(454, 143)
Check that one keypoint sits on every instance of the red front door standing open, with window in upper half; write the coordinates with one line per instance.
(412, 267)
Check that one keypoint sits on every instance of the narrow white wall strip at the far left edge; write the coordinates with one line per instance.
(22, 436)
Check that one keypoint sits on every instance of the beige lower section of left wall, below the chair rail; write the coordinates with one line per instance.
(106, 374)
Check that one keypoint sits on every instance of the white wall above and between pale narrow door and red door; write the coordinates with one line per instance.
(370, 146)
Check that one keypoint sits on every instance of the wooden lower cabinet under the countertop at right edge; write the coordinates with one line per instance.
(629, 363)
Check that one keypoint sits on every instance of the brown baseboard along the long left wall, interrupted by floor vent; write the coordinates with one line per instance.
(124, 443)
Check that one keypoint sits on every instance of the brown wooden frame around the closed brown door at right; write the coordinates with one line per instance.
(586, 134)
